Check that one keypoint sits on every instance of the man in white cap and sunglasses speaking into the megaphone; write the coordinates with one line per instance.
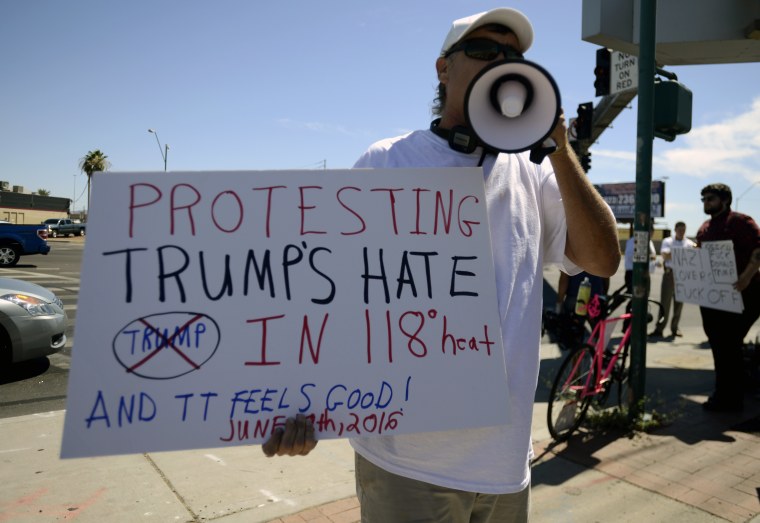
(539, 214)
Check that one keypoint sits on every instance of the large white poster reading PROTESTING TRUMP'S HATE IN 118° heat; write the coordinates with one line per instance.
(214, 305)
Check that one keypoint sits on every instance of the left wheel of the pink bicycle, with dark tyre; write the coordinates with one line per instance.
(566, 407)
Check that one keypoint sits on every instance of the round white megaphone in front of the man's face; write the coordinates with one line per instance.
(513, 106)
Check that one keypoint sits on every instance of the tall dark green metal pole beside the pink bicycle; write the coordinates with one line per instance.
(643, 209)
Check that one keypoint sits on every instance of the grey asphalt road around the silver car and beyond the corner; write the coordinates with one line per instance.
(41, 385)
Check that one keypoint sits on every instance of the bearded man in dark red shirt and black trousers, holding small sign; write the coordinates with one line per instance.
(726, 330)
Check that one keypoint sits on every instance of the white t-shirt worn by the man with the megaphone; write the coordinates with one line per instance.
(528, 229)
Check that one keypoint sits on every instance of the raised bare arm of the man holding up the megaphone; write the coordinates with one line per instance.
(592, 241)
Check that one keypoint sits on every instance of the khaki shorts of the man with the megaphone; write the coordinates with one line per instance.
(389, 498)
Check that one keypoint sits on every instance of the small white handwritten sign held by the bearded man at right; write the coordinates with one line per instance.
(706, 276)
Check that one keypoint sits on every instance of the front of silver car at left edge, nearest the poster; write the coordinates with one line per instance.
(32, 322)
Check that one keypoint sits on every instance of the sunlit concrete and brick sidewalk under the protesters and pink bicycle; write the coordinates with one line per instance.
(701, 467)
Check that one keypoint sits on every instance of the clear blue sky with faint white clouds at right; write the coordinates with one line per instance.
(234, 84)
